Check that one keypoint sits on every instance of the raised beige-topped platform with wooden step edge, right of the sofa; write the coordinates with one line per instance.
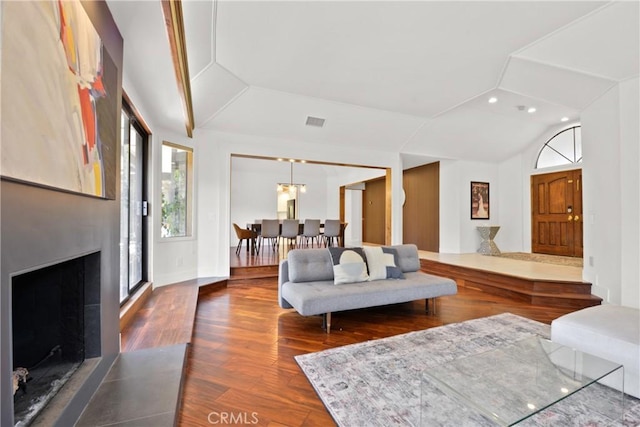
(533, 282)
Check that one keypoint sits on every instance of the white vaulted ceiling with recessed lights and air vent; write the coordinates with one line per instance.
(411, 77)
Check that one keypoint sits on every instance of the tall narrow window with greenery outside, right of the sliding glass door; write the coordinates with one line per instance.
(177, 177)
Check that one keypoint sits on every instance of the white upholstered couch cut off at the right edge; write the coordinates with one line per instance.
(609, 331)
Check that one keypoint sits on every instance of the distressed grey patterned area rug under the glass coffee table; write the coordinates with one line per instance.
(378, 383)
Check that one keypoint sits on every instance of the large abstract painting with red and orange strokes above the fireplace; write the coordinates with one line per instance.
(59, 99)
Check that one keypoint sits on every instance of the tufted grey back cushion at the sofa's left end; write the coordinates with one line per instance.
(309, 265)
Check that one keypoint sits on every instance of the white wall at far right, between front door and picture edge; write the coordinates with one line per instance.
(611, 200)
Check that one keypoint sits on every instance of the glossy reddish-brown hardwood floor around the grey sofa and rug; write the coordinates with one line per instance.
(241, 368)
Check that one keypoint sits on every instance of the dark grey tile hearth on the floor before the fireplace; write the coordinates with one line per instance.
(142, 388)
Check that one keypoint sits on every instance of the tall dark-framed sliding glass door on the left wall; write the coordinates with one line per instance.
(133, 189)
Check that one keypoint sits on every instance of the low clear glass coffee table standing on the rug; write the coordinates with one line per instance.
(510, 384)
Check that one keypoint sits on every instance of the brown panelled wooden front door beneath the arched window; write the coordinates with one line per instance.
(556, 213)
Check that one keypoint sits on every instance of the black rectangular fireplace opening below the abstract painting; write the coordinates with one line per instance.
(55, 327)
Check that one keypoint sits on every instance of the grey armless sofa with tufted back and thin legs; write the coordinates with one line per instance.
(305, 282)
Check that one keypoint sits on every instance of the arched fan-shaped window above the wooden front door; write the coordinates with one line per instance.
(564, 148)
